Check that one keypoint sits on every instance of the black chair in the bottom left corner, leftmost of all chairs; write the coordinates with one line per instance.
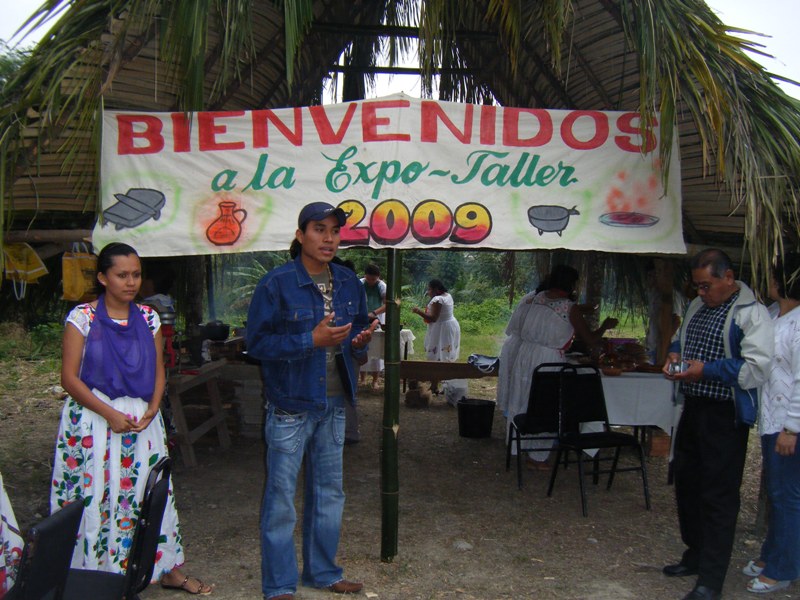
(46, 556)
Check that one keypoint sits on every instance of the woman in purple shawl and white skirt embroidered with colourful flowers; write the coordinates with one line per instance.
(111, 430)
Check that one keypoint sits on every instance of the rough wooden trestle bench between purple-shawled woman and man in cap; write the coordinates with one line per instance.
(178, 385)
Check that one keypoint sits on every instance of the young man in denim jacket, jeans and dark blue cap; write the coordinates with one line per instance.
(306, 323)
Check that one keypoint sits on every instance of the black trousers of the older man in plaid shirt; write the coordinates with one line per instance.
(710, 451)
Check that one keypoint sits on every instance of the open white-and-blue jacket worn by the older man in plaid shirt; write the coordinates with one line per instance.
(749, 342)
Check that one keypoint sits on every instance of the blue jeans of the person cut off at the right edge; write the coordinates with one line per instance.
(781, 549)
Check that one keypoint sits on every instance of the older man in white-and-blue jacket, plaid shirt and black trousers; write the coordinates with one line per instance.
(725, 347)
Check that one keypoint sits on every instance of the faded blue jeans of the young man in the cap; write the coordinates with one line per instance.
(319, 437)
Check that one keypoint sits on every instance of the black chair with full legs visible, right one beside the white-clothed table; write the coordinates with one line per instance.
(581, 400)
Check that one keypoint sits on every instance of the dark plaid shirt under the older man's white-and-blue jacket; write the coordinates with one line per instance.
(704, 342)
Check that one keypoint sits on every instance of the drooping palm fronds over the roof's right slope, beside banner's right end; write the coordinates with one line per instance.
(749, 128)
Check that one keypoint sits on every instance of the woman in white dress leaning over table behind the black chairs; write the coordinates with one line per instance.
(540, 330)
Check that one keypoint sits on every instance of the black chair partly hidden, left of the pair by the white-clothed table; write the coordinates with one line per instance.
(541, 416)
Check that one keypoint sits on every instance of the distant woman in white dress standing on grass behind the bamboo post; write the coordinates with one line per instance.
(443, 338)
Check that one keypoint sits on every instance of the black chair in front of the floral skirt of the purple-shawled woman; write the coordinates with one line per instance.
(101, 585)
